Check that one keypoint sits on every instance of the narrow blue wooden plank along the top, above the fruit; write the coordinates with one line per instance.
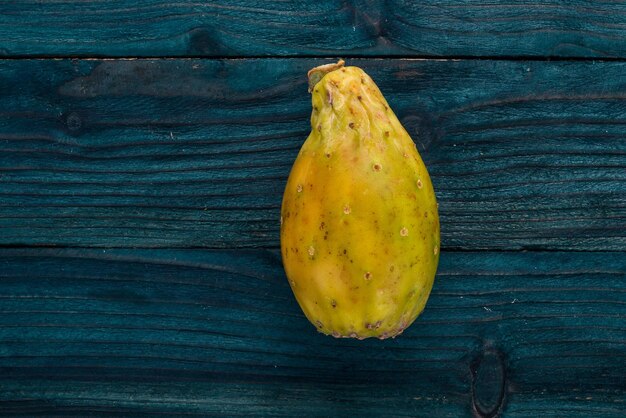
(574, 28)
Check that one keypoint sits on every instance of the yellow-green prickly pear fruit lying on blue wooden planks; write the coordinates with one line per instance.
(359, 225)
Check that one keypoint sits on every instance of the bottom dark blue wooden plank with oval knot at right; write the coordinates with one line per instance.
(219, 332)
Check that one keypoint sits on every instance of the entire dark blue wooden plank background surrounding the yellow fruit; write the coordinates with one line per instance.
(144, 147)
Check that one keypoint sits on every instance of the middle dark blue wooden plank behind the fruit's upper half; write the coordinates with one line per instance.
(196, 153)
